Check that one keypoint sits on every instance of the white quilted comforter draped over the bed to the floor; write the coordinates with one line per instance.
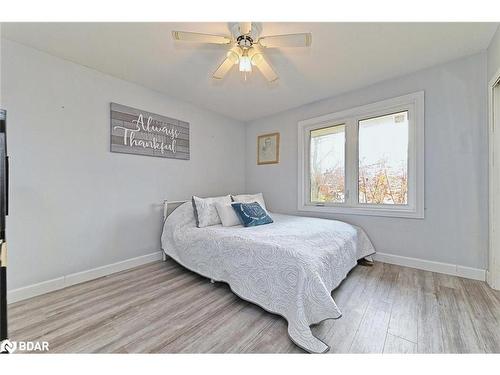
(288, 267)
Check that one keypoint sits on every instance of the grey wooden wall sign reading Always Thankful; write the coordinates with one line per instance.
(143, 133)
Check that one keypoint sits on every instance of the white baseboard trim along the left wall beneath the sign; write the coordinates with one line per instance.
(34, 290)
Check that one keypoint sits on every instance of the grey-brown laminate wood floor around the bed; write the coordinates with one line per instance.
(163, 308)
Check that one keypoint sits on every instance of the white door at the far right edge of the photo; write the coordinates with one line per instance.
(494, 251)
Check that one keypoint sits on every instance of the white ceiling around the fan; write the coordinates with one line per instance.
(343, 57)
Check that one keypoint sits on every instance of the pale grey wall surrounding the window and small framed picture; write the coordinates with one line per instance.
(456, 217)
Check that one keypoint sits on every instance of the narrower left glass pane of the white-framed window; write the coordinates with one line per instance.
(328, 164)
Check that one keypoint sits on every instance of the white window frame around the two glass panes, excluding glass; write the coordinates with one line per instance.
(414, 104)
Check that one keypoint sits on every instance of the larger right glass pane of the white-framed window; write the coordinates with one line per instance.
(383, 159)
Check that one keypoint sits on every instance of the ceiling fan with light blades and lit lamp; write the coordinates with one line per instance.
(247, 47)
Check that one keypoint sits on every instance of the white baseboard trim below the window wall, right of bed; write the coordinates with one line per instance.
(429, 265)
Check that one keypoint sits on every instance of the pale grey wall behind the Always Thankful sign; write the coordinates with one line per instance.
(75, 205)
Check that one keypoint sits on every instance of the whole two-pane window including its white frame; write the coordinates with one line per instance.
(367, 160)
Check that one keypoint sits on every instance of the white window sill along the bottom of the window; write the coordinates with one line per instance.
(364, 211)
